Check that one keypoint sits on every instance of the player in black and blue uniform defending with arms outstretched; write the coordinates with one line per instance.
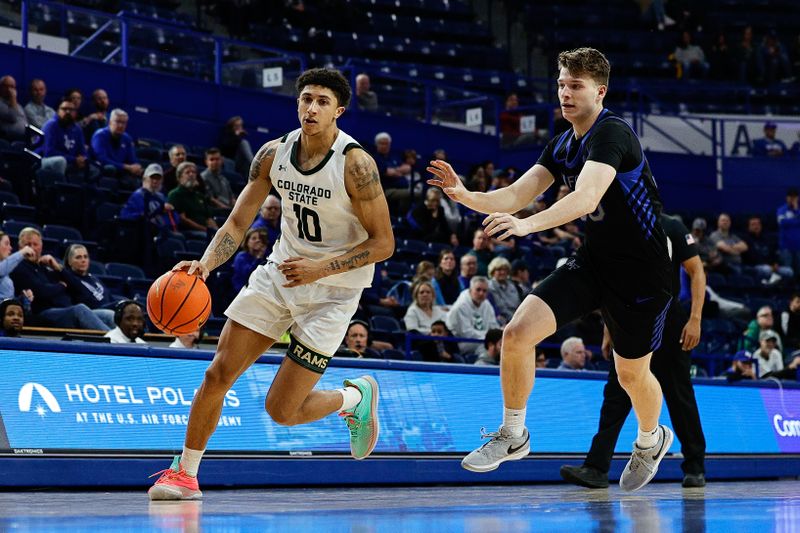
(623, 268)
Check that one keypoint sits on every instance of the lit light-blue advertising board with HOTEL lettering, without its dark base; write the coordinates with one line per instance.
(119, 403)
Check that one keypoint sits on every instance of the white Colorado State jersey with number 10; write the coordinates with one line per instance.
(317, 220)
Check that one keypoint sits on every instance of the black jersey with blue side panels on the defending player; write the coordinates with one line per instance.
(624, 234)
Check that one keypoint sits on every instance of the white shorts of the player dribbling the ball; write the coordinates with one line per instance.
(317, 314)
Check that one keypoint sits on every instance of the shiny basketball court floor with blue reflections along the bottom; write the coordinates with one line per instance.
(723, 506)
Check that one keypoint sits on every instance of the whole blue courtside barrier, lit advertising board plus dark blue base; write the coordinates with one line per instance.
(66, 406)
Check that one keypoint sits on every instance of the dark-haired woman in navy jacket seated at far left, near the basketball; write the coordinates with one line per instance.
(83, 286)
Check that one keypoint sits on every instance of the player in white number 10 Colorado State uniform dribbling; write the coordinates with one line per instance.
(335, 225)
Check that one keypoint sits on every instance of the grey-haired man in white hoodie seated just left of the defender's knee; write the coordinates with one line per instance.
(472, 315)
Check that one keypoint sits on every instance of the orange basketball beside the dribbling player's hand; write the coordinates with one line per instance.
(178, 303)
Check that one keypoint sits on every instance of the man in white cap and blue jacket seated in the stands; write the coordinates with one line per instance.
(148, 203)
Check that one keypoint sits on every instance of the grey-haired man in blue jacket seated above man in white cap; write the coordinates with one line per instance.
(113, 148)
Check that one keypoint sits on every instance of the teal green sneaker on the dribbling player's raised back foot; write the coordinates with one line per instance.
(362, 420)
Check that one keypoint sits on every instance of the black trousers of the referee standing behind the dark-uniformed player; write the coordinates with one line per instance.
(670, 364)
